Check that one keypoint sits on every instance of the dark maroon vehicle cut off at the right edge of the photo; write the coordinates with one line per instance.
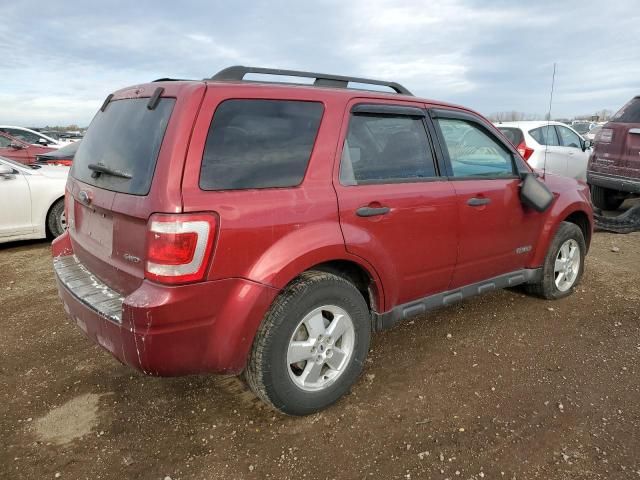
(614, 166)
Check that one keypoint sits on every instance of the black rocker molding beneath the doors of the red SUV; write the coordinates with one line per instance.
(382, 321)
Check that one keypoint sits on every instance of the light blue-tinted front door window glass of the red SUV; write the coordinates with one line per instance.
(473, 152)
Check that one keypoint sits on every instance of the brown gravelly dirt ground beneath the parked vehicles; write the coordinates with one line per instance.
(500, 386)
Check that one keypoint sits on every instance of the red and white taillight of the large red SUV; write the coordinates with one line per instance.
(179, 247)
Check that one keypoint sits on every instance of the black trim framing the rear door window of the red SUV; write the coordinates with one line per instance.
(390, 110)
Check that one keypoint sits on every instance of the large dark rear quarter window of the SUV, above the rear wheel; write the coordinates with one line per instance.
(259, 144)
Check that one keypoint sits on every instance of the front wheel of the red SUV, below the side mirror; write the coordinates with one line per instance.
(564, 264)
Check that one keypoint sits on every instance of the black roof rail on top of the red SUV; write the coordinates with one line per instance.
(238, 72)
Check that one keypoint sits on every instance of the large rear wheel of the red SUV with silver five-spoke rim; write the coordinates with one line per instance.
(311, 346)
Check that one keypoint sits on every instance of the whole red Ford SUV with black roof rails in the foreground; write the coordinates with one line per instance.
(232, 226)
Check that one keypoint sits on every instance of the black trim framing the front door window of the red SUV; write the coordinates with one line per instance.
(517, 164)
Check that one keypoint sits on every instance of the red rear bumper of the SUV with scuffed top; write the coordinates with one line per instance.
(206, 327)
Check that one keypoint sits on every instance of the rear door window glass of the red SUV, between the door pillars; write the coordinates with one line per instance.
(386, 149)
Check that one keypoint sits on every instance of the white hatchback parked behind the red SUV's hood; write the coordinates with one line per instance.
(554, 146)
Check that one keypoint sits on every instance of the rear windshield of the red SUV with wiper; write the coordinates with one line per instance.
(124, 139)
